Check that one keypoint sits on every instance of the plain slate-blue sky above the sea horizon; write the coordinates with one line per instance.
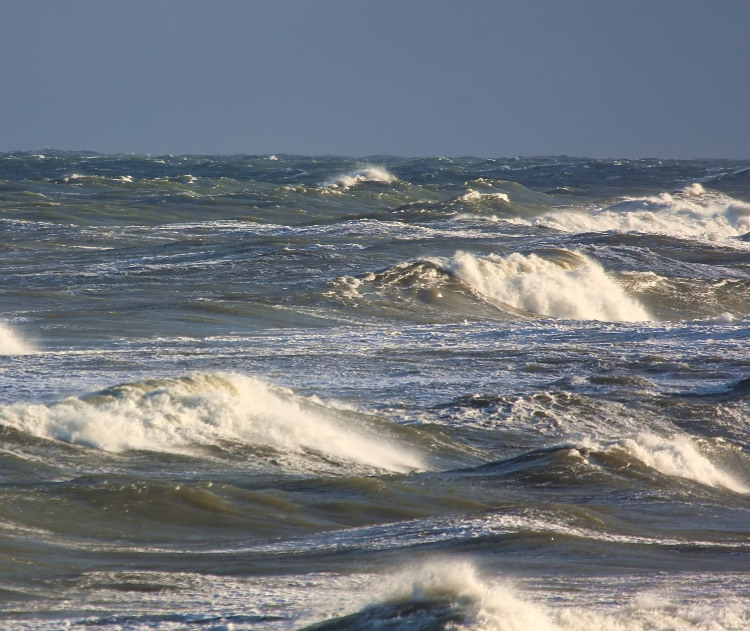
(485, 78)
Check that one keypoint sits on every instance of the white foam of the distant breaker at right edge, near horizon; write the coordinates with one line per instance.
(693, 213)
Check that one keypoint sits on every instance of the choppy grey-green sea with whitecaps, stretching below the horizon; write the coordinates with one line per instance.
(282, 392)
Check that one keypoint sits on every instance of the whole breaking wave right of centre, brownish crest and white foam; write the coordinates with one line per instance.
(550, 283)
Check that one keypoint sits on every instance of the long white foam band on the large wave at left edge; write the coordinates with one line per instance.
(175, 415)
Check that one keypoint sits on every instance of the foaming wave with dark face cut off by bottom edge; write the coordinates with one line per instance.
(448, 593)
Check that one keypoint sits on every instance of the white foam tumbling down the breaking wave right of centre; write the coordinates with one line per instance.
(574, 288)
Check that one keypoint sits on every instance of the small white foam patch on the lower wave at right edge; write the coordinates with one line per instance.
(678, 456)
